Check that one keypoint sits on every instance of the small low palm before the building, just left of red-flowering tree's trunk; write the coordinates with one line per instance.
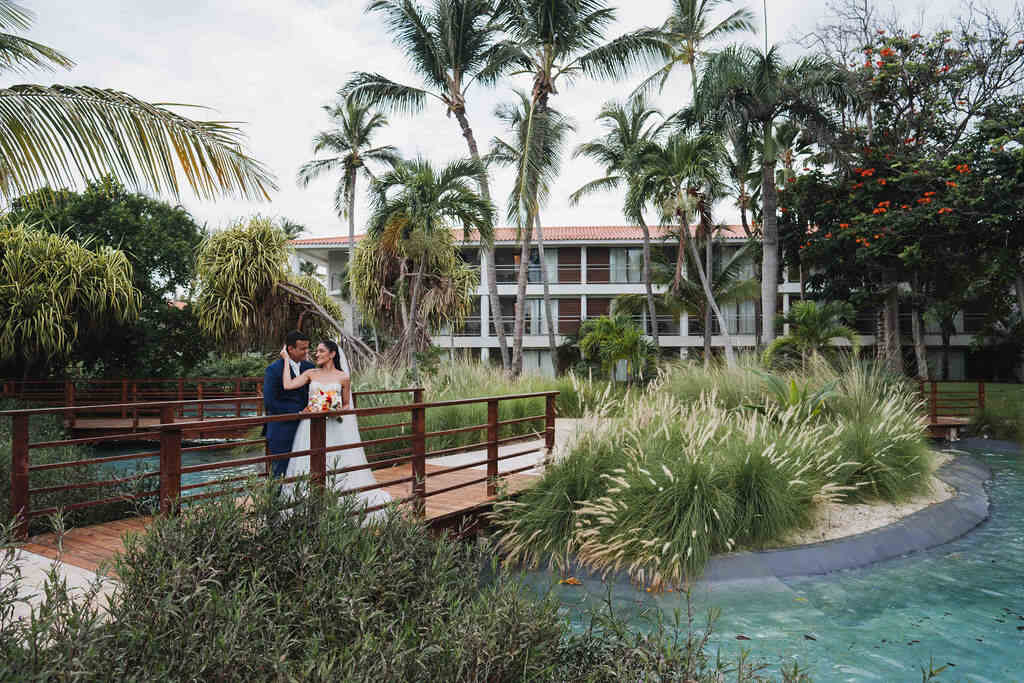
(814, 329)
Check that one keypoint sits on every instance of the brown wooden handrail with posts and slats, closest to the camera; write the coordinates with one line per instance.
(172, 436)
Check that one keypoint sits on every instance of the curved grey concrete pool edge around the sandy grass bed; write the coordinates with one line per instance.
(932, 527)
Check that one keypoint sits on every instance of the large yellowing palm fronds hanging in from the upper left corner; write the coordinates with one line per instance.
(58, 136)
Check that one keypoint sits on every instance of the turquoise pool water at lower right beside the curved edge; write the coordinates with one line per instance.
(961, 605)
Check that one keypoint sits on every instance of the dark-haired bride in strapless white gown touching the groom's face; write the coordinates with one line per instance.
(331, 375)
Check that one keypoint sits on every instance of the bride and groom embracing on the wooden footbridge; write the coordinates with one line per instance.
(292, 385)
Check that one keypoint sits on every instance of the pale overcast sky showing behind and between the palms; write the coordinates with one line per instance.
(273, 64)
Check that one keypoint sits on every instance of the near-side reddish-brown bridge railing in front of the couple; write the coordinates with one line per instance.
(407, 444)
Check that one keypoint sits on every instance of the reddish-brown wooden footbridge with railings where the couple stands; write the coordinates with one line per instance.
(437, 476)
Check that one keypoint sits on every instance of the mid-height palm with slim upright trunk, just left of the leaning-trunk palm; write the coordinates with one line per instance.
(618, 151)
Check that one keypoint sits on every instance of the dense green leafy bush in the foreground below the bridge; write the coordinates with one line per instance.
(218, 593)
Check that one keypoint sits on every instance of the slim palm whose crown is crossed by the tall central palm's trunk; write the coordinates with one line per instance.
(540, 166)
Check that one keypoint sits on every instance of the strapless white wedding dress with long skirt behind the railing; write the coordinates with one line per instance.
(337, 435)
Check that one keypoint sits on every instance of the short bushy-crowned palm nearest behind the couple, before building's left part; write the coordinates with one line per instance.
(415, 203)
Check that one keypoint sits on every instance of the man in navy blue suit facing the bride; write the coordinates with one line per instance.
(278, 401)
